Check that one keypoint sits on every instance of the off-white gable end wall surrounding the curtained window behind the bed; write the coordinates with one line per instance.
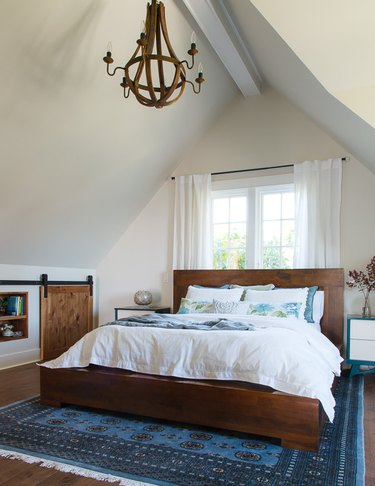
(254, 132)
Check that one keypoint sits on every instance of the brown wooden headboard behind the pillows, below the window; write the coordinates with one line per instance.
(331, 280)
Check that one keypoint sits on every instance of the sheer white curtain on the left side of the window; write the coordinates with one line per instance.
(192, 222)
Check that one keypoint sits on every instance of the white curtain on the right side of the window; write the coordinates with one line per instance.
(318, 201)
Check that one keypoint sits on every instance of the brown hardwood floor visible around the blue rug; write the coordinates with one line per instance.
(23, 382)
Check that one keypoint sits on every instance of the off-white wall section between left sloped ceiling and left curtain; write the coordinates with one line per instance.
(141, 259)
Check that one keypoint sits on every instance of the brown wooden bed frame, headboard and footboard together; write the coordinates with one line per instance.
(236, 406)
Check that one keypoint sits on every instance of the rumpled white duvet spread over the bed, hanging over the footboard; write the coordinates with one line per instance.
(285, 354)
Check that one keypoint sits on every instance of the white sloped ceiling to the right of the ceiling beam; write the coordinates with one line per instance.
(318, 54)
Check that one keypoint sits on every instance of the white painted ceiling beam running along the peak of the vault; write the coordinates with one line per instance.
(227, 43)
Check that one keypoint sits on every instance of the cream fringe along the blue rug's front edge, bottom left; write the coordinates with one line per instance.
(78, 471)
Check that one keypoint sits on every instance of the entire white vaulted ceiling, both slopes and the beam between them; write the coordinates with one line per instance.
(78, 162)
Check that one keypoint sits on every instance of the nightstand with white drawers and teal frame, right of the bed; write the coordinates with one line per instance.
(361, 343)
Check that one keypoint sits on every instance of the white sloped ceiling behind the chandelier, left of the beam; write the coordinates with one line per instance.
(78, 162)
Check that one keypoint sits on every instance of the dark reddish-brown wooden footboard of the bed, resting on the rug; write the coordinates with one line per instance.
(237, 406)
